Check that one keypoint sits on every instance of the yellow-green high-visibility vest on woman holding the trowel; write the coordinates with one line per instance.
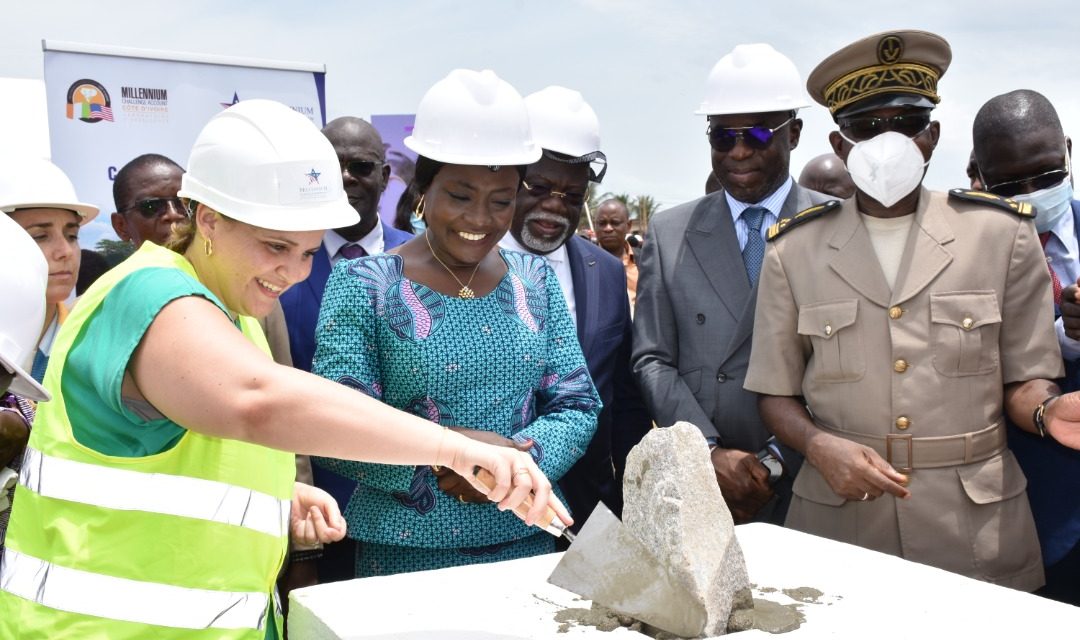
(186, 543)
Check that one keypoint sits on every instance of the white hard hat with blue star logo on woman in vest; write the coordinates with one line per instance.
(263, 164)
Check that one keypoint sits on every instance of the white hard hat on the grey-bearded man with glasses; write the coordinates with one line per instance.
(564, 122)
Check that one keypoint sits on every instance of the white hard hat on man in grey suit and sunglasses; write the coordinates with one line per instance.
(753, 79)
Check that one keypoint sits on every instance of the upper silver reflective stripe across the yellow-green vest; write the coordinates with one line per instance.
(154, 493)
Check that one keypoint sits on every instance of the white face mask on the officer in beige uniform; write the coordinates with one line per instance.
(887, 168)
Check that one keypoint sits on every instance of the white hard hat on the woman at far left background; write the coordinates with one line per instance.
(36, 183)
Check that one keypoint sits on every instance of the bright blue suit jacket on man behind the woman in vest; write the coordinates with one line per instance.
(301, 303)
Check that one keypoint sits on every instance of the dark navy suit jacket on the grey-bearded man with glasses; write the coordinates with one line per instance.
(605, 334)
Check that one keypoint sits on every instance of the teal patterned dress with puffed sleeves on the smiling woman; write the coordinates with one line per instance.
(508, 362)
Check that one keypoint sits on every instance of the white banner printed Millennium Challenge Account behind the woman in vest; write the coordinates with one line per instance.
(110, 105)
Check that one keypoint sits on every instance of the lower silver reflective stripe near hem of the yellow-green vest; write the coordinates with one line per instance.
(130, 601)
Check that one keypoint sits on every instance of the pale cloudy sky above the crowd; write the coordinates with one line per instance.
(641, 65)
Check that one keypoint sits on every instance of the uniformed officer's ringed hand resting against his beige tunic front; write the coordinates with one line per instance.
(855, 472)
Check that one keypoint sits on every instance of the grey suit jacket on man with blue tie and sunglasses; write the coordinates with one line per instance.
(695, 319)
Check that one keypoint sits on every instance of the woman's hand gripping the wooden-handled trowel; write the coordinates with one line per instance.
(517, 478)
